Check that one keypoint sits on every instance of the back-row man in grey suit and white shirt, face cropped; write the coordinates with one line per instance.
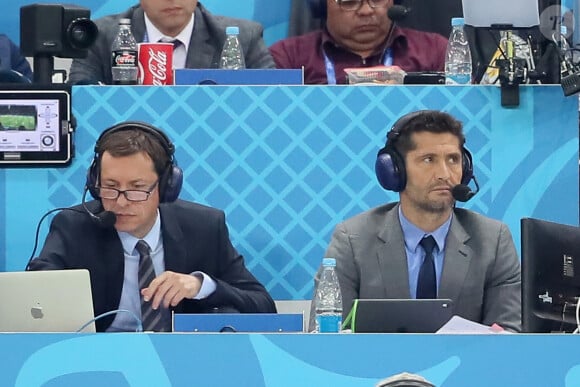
(201, 34)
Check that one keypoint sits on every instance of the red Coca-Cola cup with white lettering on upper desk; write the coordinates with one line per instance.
(155, 63)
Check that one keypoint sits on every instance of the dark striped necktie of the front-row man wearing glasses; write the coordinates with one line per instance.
(151, 319)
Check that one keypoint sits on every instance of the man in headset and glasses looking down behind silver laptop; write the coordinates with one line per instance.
(137, 228)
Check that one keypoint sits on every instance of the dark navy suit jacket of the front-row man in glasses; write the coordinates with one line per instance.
(195, 237)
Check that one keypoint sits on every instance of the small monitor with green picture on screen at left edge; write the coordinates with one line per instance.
(35, 127)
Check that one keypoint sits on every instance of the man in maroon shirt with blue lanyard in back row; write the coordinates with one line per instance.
(358, 33)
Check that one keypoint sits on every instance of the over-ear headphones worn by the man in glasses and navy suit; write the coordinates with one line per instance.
(170, 180)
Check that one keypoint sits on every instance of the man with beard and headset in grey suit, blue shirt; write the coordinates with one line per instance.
(382, 253)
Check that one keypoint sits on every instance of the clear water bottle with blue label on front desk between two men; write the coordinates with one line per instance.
(328, 300)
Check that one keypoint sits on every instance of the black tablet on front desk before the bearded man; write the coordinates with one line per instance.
(400, 315)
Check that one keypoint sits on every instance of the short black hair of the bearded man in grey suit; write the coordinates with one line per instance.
(426, 121)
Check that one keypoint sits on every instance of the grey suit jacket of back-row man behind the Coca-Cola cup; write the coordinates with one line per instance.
(204, 49)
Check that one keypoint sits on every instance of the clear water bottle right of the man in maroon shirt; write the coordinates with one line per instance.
(458, 66)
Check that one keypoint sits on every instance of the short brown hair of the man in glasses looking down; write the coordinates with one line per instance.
(131, 141)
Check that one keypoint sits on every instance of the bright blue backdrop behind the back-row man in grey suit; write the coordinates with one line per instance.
(273, 14)
